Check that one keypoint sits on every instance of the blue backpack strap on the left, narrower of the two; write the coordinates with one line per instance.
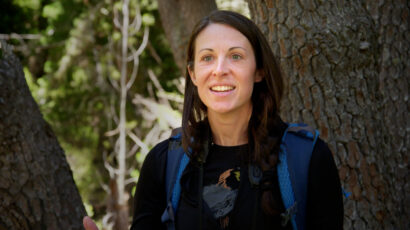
(177, 160)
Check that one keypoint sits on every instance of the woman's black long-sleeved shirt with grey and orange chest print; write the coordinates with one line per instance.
(225, 175)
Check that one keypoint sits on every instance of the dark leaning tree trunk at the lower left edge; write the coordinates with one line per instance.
(37, 190)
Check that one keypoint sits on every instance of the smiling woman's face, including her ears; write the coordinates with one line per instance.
(224, 70)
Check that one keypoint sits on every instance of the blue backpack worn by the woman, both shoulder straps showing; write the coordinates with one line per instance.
(294, 157)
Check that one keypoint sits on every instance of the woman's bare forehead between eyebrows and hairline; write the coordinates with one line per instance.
(217, 35)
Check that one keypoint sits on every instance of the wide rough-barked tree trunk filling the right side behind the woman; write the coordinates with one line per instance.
(346, 69)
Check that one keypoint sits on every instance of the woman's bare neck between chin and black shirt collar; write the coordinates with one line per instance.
(229, 129)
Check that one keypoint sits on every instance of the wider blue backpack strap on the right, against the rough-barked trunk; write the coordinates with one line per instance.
(294, 157)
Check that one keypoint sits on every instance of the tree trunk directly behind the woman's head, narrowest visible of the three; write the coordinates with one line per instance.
(178, 18)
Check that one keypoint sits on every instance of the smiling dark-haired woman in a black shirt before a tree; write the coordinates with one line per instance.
(231, 108)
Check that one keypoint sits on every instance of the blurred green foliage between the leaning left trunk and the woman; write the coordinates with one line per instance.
(69, 70)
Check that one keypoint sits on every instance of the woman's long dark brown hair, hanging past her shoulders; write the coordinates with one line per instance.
(265, 126)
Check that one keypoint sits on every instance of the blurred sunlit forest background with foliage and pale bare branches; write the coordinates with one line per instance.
(107, 108)
